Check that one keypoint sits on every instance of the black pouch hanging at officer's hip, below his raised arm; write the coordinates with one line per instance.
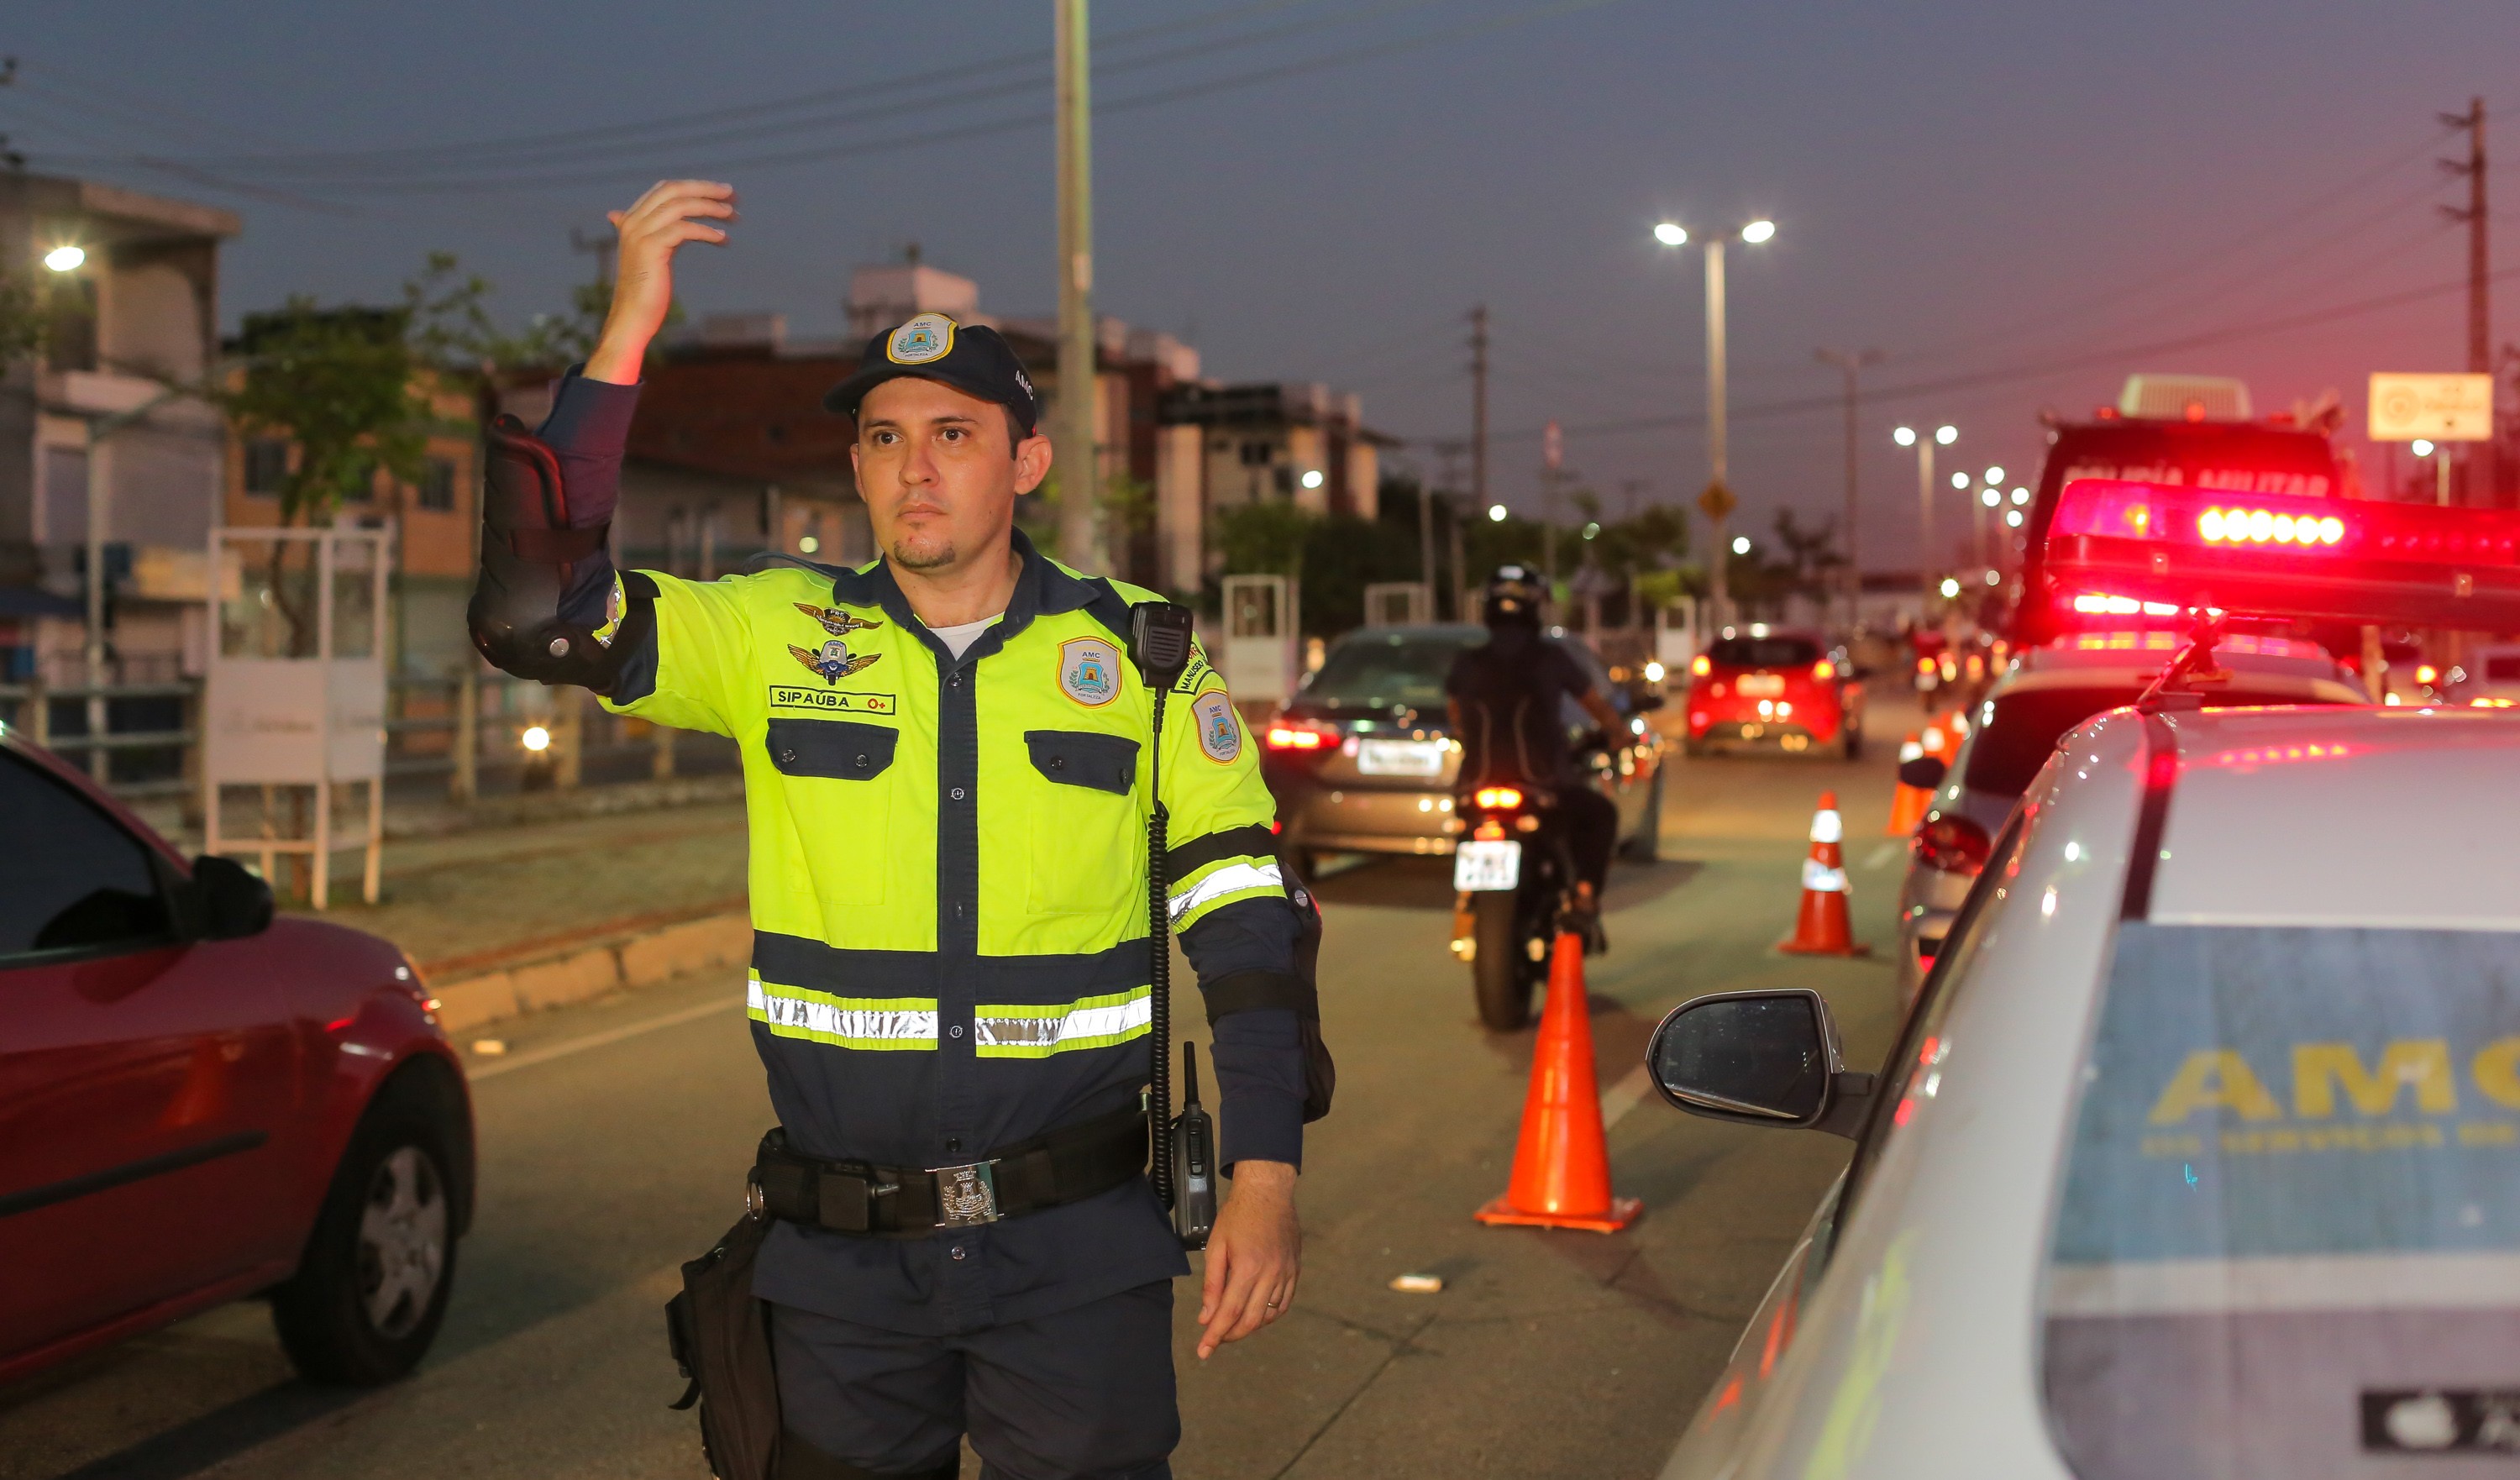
(722, 1340)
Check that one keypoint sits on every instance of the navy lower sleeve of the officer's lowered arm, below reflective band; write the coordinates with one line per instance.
(1259, 1055)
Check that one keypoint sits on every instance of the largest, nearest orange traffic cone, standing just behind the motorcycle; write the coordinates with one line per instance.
(1564, 1164)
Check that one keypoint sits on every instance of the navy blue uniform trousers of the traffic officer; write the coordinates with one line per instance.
(1075, 1396)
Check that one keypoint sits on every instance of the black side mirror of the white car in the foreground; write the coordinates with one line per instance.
(1760, 1058)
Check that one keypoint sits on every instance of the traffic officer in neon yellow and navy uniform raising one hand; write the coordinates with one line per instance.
(949, 894)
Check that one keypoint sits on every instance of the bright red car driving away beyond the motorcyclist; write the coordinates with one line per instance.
(1775, 687)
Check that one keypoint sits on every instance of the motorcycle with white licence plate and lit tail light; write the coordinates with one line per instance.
(1513, 879)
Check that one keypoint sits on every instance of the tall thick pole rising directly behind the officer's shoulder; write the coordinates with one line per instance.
(1072, 440)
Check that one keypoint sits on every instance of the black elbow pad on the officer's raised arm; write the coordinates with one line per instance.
(528, 561)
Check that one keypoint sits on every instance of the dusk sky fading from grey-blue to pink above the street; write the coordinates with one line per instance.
(2015, 203)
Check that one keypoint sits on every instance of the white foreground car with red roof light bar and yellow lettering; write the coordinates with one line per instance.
(2201, 1148)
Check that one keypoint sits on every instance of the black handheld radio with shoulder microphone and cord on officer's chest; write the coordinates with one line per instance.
(1160, 649)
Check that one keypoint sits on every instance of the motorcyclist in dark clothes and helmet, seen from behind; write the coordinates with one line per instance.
(1508, 710)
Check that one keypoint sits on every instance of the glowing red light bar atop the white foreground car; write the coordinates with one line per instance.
(2289, 556)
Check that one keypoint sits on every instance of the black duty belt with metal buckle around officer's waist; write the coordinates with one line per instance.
(1047, 1171)
